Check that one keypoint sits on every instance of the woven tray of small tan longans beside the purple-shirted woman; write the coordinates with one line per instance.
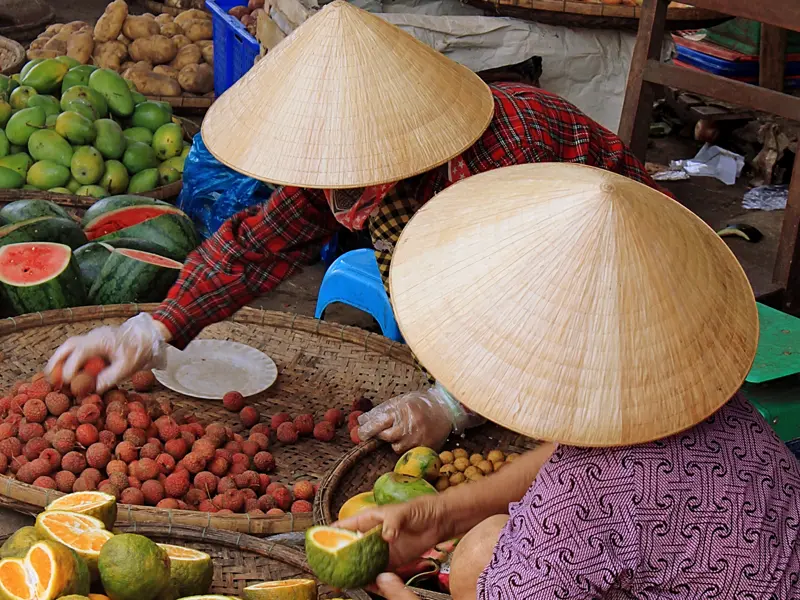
(358, 470)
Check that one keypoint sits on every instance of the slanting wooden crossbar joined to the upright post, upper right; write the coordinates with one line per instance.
(728, 90)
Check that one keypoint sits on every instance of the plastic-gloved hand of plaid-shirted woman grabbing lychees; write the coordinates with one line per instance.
(139, 343)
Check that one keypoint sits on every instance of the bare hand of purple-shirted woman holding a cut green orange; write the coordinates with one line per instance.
(410, 528)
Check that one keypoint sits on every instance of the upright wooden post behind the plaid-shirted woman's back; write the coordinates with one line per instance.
(634, 127)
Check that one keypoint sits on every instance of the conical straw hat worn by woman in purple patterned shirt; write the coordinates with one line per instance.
(574, 305)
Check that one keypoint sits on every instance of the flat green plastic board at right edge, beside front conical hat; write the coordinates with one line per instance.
(778, 353)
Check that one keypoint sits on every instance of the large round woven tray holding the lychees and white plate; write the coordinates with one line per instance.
(321, 365)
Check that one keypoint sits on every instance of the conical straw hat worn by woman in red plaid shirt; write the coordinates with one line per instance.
(347, 100)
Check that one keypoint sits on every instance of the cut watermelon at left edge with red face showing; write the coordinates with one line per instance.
(38, 276)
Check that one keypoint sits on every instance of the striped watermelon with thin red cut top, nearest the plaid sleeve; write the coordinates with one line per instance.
(131, 276)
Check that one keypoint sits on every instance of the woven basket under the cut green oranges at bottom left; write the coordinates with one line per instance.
(239, 560)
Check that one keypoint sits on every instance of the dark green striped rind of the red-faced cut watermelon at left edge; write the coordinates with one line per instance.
(63, 289)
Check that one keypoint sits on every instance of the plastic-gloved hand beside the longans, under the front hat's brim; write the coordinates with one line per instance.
(422, 418)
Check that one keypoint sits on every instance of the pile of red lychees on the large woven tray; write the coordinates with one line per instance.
(129, 445)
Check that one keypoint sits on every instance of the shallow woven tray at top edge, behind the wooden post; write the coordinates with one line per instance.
(592, 14)
